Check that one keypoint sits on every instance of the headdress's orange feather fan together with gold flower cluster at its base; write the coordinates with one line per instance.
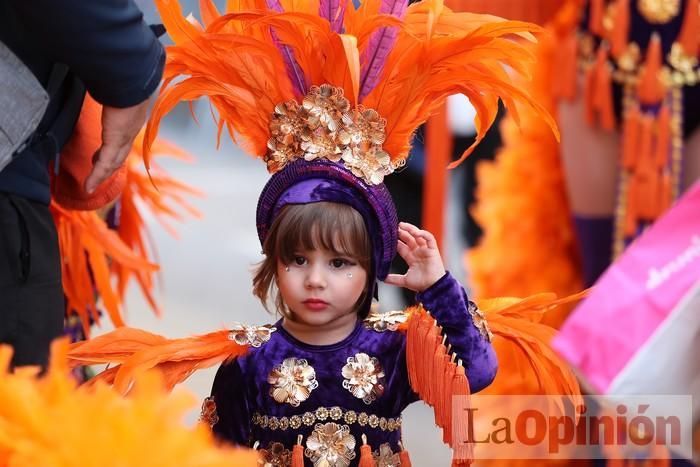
(401, 62)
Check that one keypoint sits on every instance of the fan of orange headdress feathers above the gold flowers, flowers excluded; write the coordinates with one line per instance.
(250, 59)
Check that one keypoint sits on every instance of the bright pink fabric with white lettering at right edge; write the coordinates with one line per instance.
(635, 295)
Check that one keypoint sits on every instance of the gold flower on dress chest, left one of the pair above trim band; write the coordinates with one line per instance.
(292, 381)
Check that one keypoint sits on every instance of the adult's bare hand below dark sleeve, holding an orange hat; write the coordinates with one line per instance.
(119, 128)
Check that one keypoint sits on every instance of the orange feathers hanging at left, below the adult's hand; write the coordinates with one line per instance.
(92, 254)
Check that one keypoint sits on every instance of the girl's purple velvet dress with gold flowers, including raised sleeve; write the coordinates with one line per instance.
(333, 394)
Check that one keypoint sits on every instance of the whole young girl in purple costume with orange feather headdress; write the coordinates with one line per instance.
(329, 97)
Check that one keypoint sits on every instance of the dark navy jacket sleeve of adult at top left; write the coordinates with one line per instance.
(105, 42)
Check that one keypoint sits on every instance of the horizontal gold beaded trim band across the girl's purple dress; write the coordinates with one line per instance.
(322, 414)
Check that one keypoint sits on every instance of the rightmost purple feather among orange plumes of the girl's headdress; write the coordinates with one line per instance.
(379, 47)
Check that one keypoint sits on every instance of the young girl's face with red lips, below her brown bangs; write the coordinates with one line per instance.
(319, 286)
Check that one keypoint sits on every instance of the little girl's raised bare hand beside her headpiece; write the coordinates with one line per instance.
(419, 249)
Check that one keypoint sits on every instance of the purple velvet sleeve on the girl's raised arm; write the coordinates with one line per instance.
(447, 302)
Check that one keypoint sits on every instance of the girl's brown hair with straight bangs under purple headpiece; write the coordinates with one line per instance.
(331, 226)
